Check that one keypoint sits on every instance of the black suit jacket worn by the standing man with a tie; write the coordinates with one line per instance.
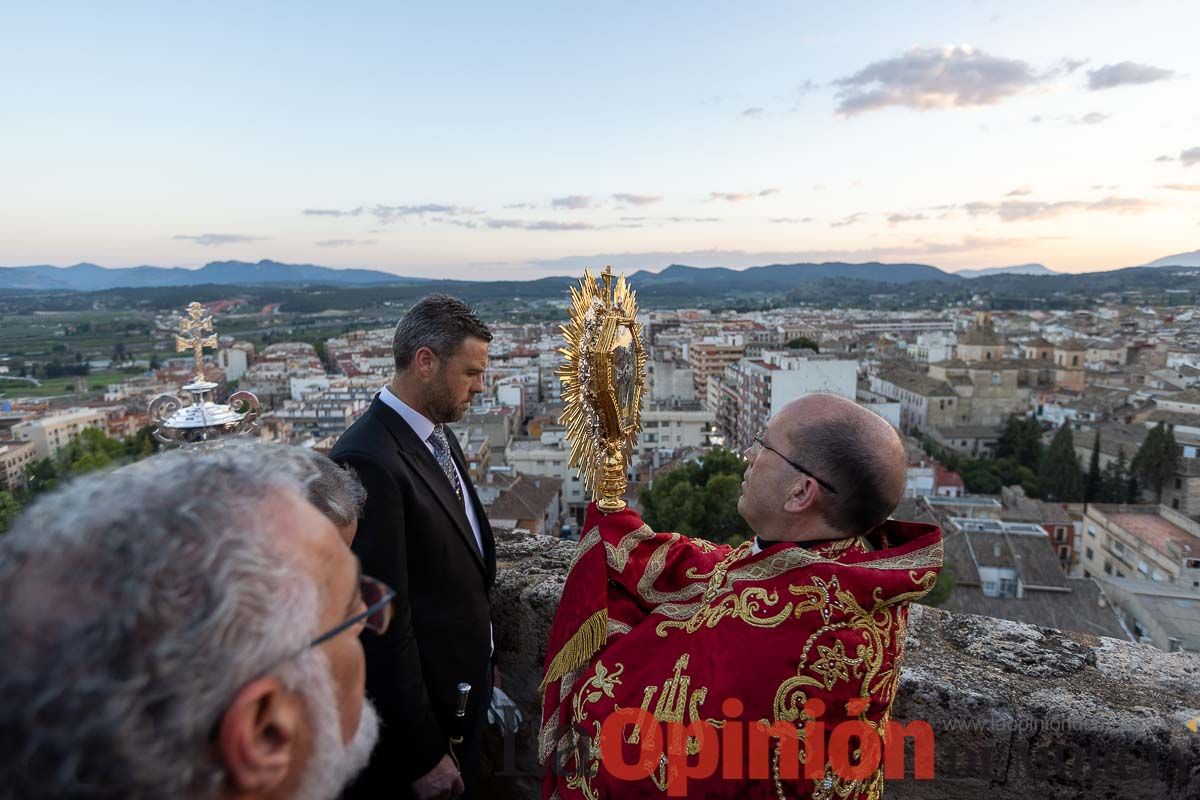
(416, 538)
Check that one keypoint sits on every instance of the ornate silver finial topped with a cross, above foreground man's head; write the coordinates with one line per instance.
(202, 422)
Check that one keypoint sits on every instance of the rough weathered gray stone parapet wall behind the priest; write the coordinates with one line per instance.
(1018, 712)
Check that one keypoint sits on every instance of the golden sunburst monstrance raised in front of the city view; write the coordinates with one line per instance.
(603, 375)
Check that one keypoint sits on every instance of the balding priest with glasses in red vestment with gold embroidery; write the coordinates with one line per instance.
(677, 667)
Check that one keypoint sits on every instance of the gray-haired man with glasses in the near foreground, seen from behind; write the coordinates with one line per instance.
(184, 628)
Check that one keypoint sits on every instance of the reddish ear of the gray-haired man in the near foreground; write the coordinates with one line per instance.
(259, 737)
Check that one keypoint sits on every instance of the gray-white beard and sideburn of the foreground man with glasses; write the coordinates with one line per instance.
(333, 765)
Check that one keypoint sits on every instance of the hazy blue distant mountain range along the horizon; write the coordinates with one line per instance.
(677, 278)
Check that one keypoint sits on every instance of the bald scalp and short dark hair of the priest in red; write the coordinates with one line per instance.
(853, 449)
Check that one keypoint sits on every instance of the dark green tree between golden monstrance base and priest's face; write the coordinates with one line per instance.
(699, 500)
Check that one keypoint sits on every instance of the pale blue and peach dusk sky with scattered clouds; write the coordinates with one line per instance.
(518, 141)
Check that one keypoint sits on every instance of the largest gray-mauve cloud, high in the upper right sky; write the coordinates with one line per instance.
(934, 79)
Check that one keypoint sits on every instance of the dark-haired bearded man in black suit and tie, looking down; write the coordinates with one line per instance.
(424, 533)
